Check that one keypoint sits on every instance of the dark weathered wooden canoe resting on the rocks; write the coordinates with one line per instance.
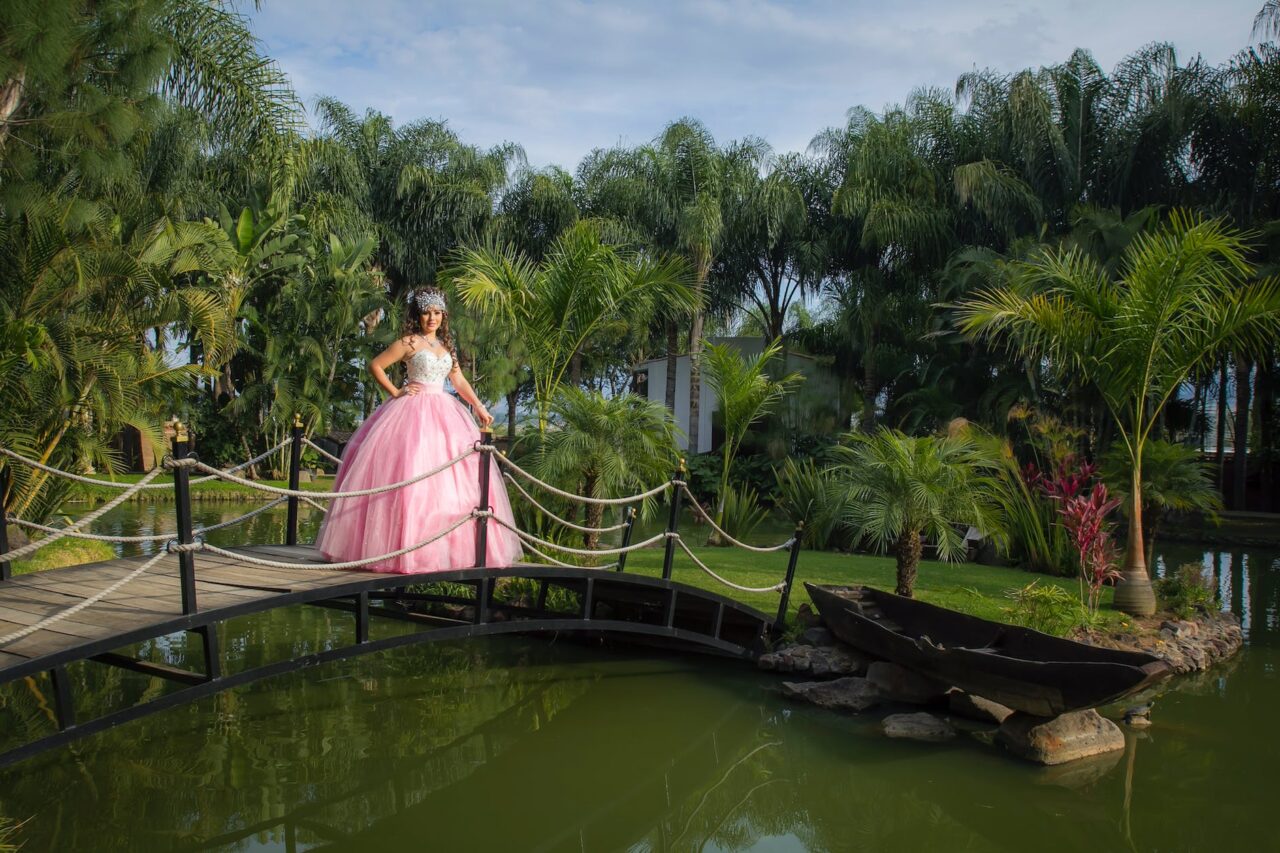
(1016, 667)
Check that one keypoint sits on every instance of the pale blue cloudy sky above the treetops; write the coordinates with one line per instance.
(563, 77)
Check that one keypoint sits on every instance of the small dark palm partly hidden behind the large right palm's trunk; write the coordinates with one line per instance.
(1174, 480)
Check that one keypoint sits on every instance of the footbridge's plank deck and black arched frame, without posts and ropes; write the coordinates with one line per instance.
(609, 604)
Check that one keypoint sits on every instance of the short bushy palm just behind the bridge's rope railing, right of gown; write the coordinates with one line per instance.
(606, 448)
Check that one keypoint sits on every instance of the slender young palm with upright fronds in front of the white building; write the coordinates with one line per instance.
(746, 394)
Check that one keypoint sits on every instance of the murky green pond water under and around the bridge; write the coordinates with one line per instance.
(524, 745)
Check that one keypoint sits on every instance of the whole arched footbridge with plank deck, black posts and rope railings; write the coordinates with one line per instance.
(95, 613)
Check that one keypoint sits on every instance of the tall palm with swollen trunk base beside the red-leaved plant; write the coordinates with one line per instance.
(1180, 300)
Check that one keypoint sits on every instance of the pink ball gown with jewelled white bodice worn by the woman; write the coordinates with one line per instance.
(401, 440)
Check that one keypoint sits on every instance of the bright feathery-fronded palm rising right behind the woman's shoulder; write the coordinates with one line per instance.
(557, 307)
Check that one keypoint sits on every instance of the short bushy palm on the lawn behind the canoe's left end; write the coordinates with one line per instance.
(902, 487)
